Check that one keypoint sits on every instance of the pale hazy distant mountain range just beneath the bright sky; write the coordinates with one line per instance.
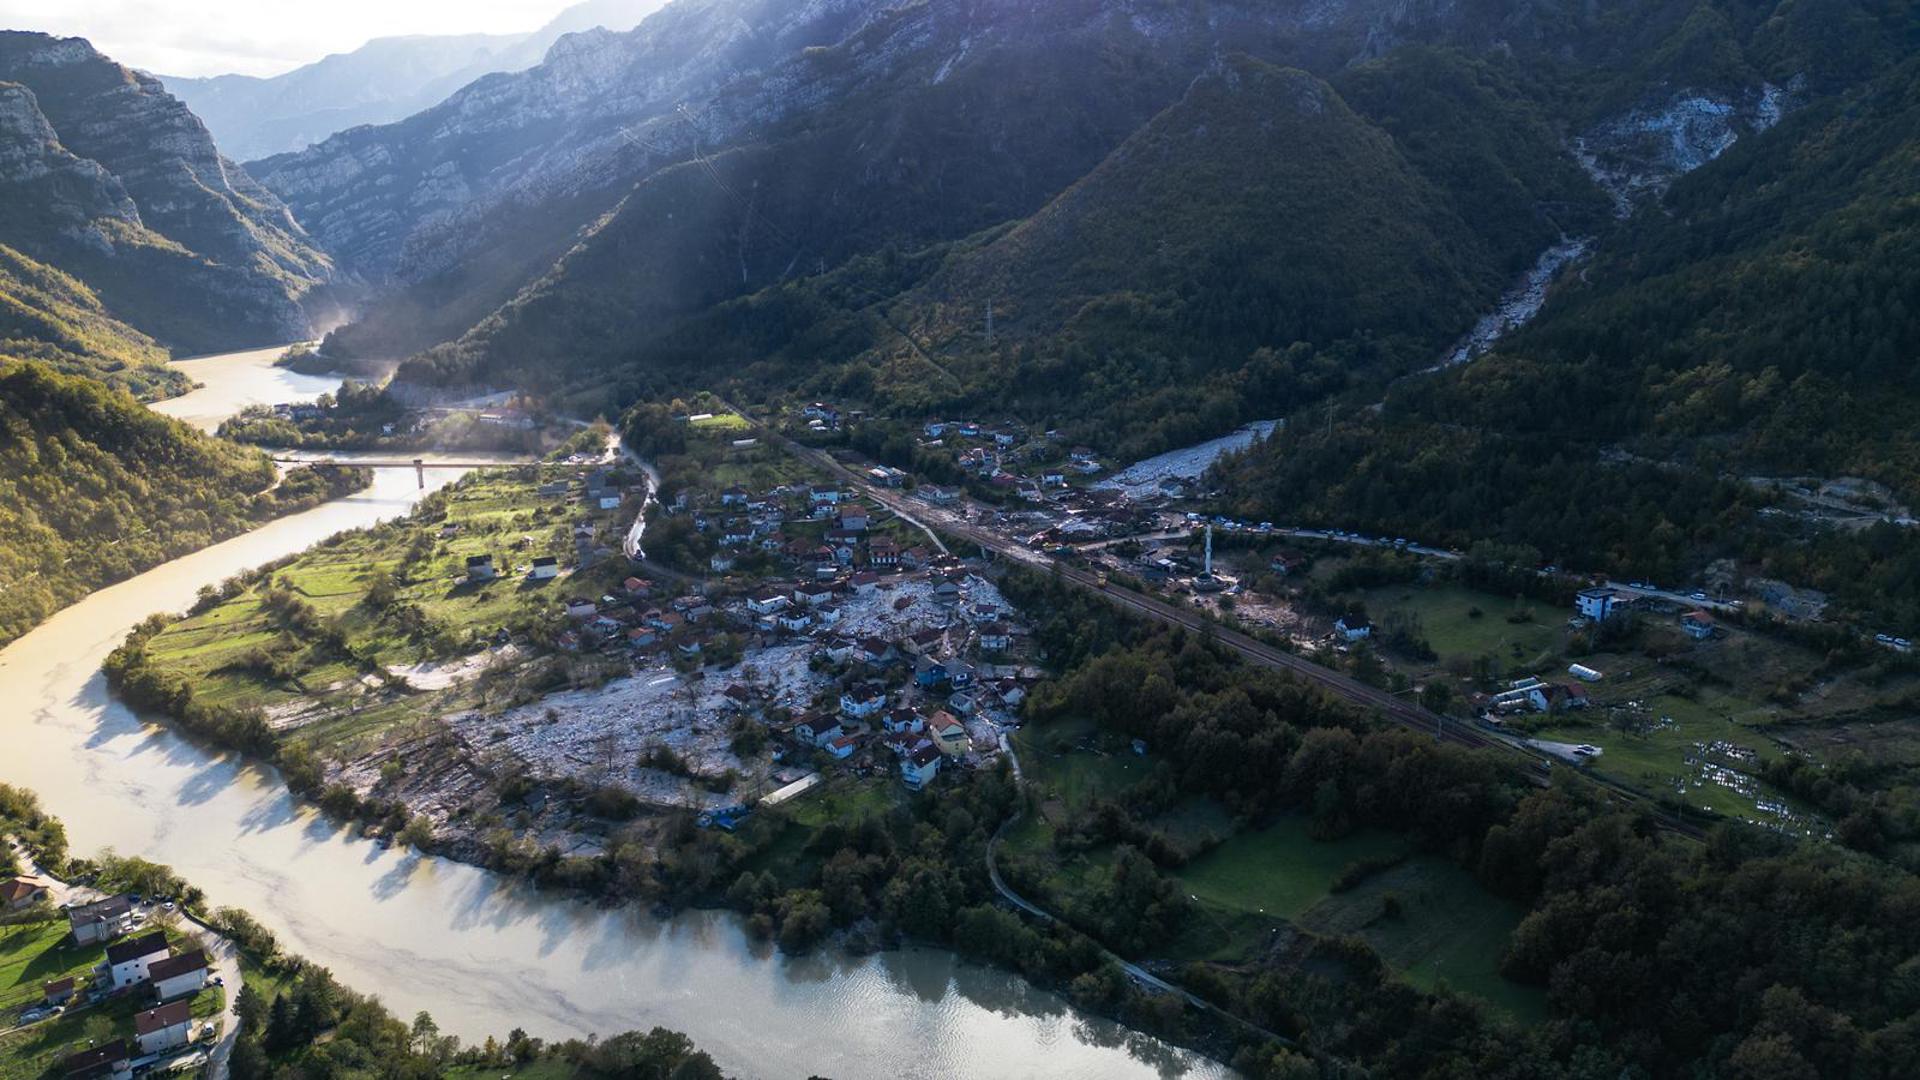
(381, 82)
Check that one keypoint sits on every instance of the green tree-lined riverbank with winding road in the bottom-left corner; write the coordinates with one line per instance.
(276, 1010)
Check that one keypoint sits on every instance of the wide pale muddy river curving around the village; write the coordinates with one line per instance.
(483, 954)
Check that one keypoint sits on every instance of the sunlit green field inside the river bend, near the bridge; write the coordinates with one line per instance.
(247, 654)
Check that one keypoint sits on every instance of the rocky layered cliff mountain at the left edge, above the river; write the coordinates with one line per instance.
(114, 182)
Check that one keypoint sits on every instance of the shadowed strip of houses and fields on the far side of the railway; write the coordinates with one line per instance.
(1687, 689)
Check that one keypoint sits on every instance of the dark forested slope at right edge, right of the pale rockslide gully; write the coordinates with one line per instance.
(1762, 324)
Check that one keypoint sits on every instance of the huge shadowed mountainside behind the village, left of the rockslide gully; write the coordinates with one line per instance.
(924, 132)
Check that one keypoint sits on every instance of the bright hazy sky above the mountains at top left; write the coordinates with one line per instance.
(258, 37)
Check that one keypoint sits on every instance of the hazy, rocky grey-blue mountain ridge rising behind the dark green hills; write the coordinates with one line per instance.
(942, 120)
